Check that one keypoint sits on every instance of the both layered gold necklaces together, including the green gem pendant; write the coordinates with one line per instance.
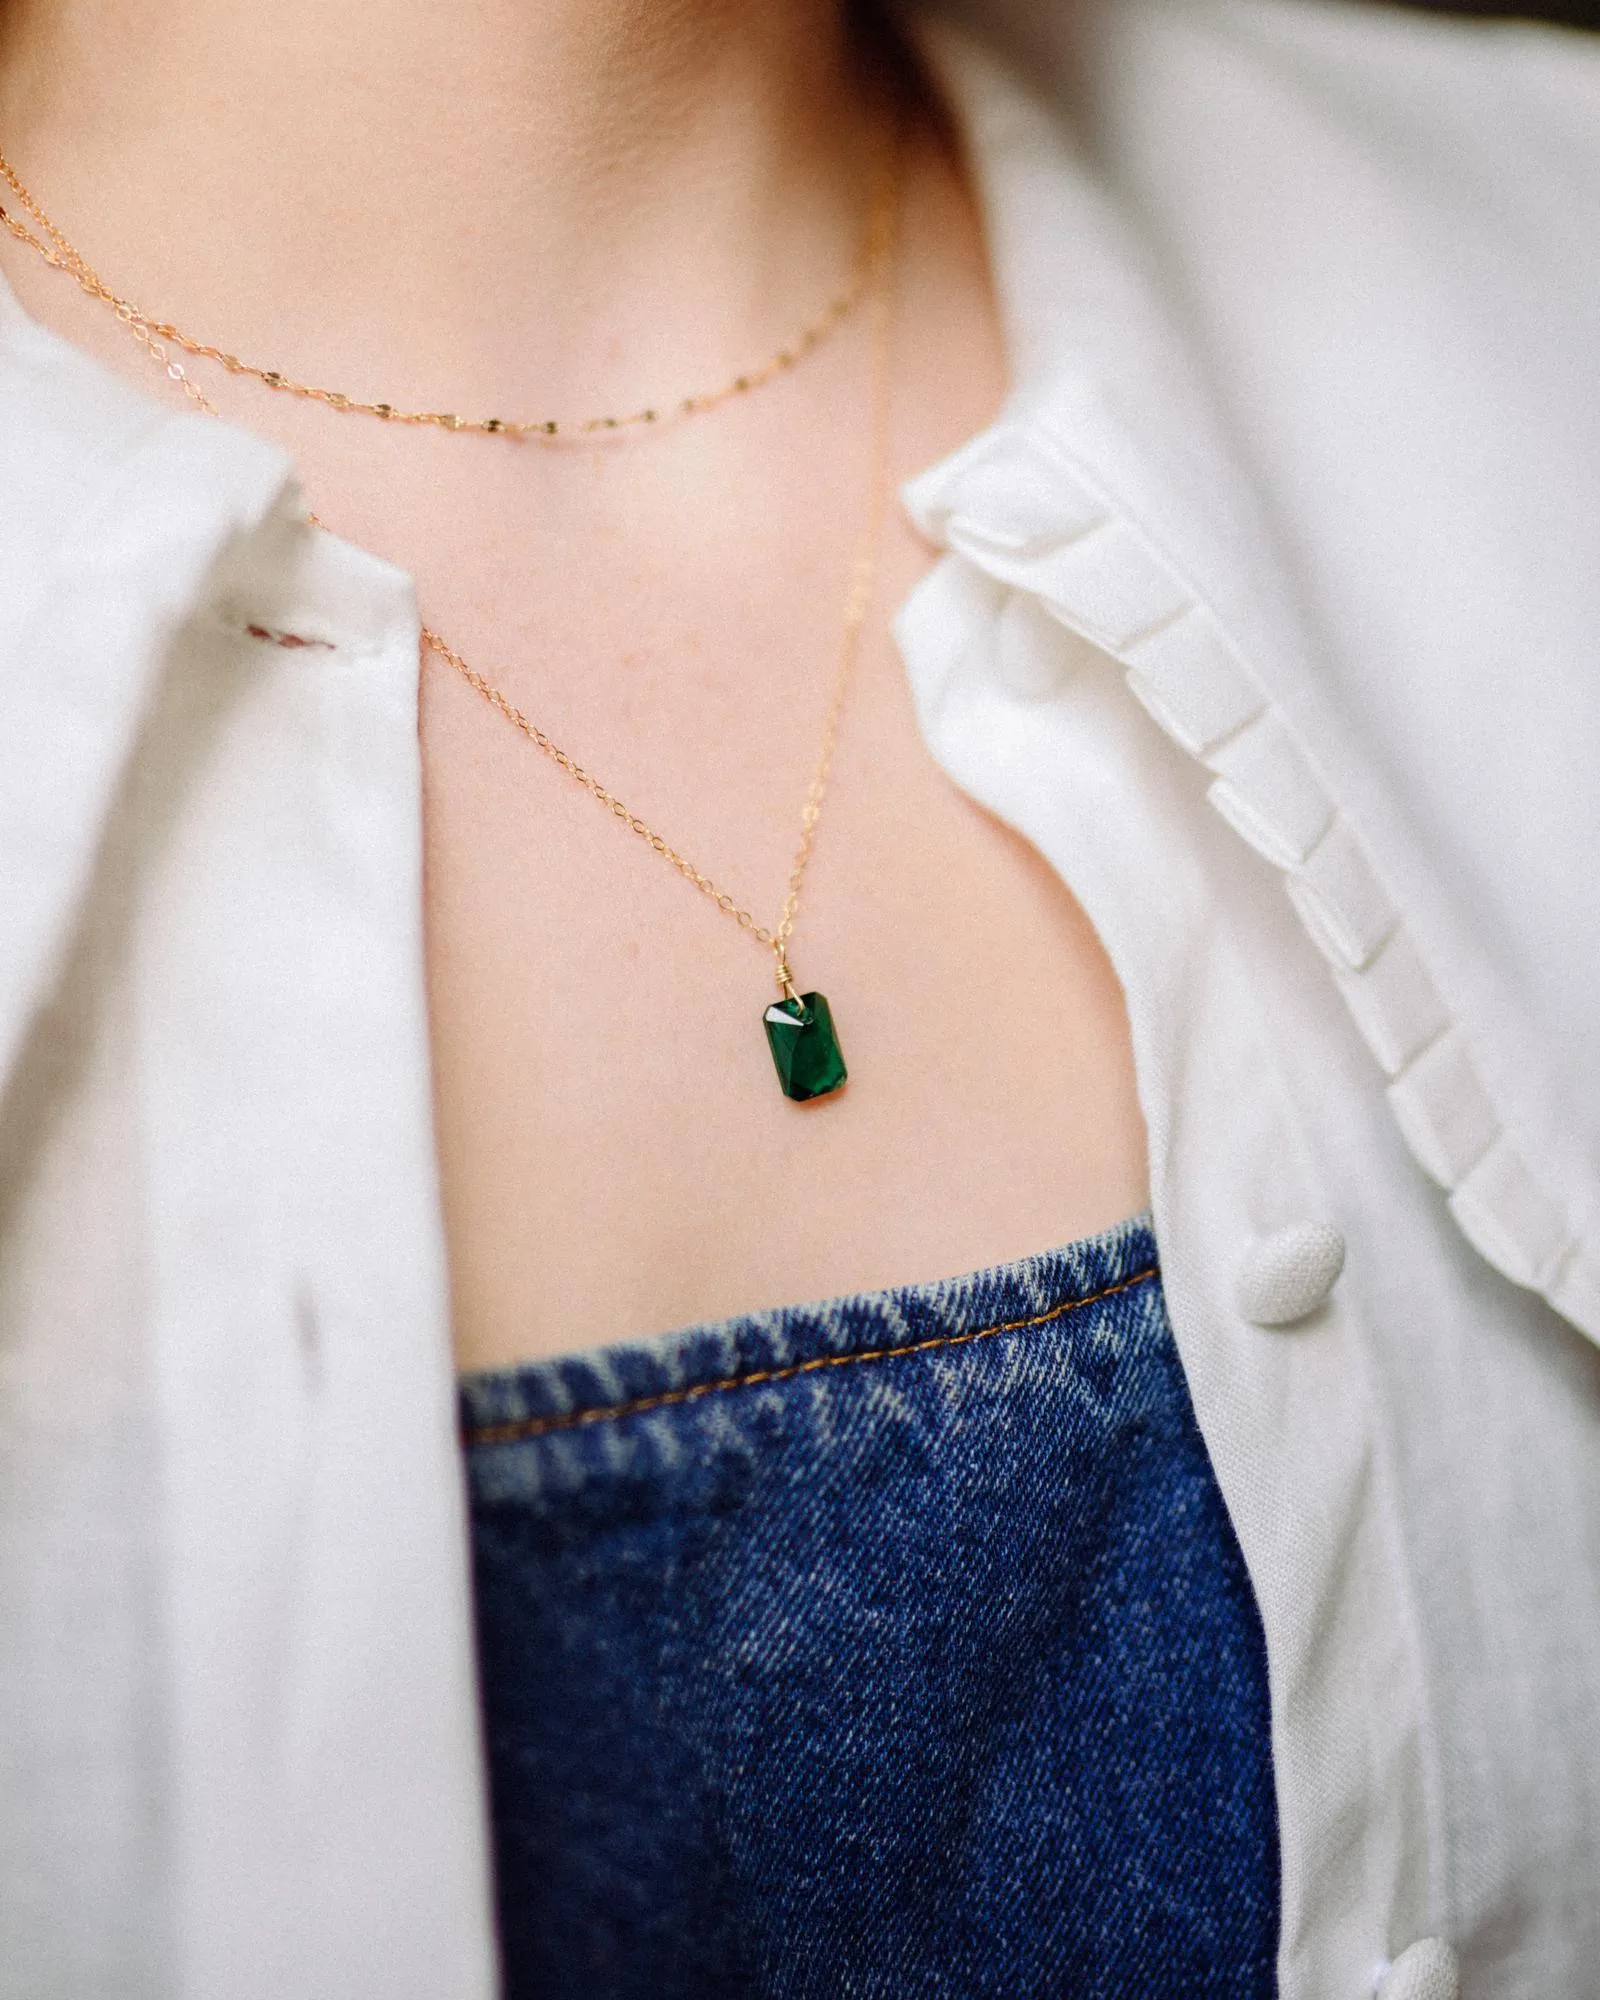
(799, 1027)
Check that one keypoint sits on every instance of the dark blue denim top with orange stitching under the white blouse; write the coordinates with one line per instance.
(895, 1647)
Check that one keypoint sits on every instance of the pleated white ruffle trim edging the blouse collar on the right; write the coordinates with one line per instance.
(1027, 517)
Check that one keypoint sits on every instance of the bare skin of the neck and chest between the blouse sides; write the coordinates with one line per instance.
(575, 207)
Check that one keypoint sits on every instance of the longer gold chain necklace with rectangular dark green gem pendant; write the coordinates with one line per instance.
(799, 1027)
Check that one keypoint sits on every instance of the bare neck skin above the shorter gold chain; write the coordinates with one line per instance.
(509, 197)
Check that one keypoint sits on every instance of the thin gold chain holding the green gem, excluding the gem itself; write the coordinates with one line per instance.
(879, 285)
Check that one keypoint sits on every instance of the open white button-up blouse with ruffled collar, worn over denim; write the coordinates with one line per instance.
(1269, 613)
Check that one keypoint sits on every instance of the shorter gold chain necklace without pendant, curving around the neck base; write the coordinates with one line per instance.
(55, 249)
